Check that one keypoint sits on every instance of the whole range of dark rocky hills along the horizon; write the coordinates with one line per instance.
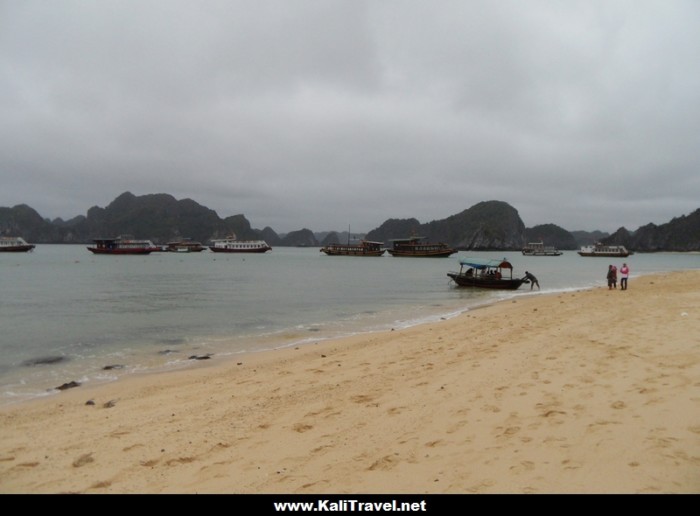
(488, 225)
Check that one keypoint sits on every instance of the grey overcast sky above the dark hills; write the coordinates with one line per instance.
(324, 114)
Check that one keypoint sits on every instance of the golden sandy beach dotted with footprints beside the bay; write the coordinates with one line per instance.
(596, 391)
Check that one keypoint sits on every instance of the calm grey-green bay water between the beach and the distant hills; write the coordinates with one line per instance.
(65, 314)
